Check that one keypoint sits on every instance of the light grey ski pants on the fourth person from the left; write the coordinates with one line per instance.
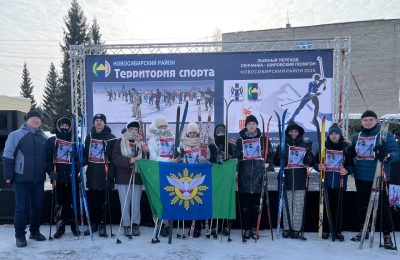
(127, 219)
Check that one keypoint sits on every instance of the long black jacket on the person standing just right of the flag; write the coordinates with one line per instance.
(250, 171)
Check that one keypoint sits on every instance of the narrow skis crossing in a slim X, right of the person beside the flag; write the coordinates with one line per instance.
(264, 187)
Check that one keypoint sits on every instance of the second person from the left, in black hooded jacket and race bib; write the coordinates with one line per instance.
(59, 157)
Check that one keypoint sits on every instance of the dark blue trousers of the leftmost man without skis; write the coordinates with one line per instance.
(28, 203)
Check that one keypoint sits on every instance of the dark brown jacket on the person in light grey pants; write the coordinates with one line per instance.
(123, 168)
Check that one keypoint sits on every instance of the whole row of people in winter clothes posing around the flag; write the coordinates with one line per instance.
(28, 155)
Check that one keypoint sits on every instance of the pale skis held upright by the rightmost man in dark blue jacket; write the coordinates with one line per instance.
(372, 205)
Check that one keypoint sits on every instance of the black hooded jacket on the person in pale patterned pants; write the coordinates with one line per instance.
(298, 175)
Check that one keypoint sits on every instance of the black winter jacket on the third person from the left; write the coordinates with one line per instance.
(95, 172)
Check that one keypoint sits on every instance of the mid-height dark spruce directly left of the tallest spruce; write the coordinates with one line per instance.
(51, 98)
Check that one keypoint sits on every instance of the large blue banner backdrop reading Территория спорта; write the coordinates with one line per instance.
(259, 82)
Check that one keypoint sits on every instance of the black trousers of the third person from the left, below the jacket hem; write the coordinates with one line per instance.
(97, 206)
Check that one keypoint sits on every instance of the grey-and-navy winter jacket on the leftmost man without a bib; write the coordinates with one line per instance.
(24, 156)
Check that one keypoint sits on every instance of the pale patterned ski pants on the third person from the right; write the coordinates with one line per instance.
(296, 207)
